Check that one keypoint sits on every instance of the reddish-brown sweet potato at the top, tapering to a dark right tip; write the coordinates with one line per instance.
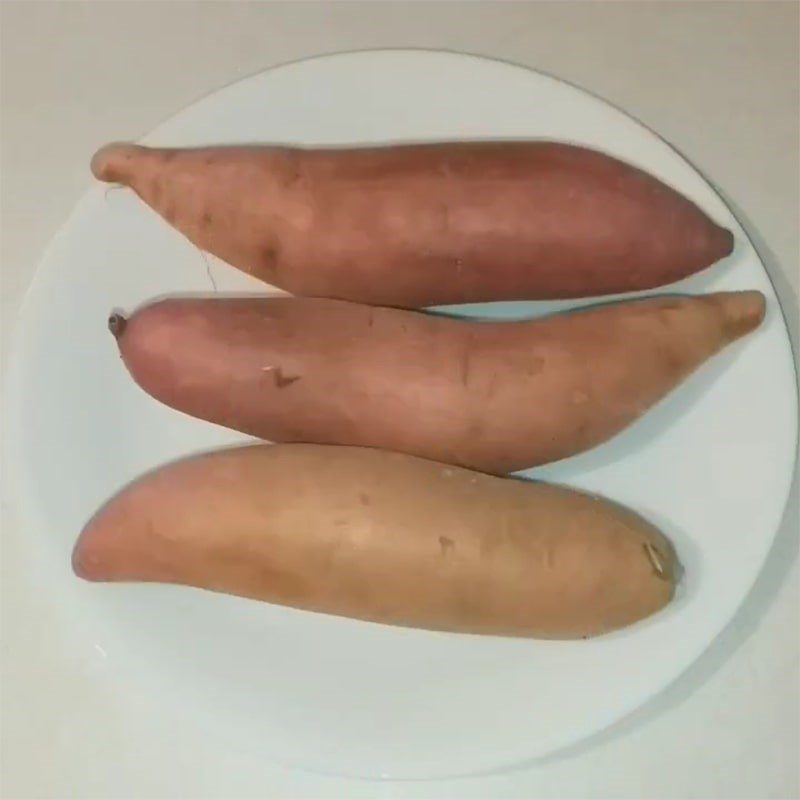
(419, 225)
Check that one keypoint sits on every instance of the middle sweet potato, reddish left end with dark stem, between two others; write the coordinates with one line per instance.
(495, 396)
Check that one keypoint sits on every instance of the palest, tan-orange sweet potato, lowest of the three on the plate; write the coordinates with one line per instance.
(385, 537)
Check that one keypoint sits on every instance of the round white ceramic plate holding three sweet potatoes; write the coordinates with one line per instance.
(711, 464)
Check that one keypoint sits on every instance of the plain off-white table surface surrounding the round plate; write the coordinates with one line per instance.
(720, 80)
